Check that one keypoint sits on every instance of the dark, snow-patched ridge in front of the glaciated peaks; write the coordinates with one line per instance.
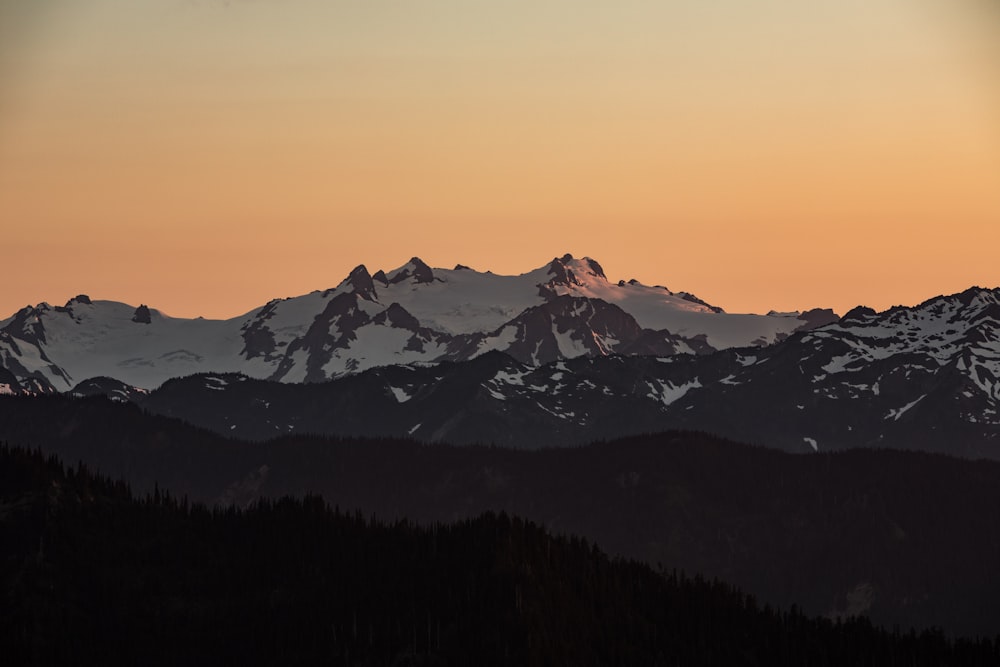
(923, 378)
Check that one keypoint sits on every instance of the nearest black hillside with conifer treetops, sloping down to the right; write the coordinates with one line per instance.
(93, 575)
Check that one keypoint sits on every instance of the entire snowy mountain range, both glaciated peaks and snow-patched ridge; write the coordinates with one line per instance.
(559, 356)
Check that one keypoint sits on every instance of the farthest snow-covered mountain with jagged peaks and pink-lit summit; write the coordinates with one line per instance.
(414, 314)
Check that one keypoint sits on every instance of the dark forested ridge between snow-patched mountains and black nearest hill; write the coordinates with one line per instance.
(907, 538)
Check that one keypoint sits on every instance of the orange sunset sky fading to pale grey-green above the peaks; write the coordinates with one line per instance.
(206, 156)
